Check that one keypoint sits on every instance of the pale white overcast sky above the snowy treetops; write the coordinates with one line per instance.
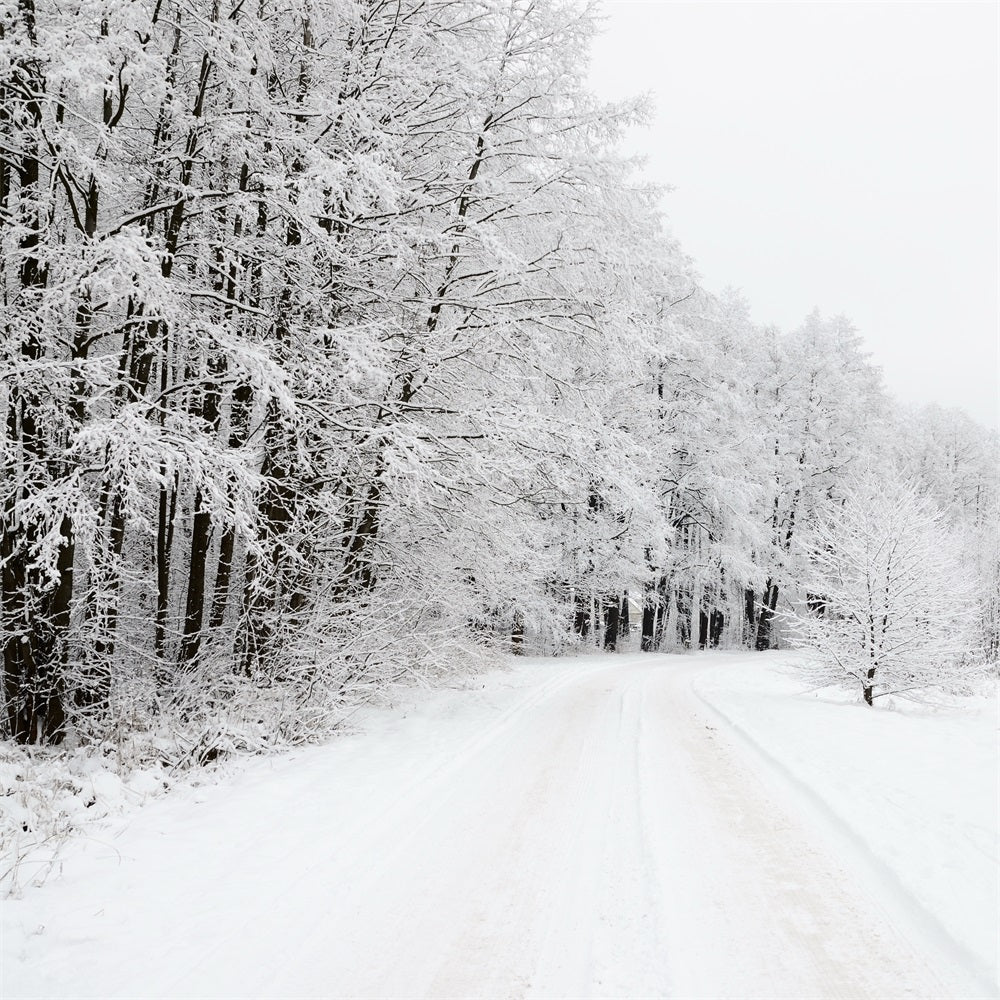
(840, 155)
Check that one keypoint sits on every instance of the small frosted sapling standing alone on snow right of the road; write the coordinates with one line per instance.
(897, 602)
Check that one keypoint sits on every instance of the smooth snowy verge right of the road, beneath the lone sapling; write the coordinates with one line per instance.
(912, 789)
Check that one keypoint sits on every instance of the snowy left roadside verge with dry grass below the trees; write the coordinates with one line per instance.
(52, 800)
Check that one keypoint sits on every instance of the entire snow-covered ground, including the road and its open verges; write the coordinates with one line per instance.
(607, 826)
